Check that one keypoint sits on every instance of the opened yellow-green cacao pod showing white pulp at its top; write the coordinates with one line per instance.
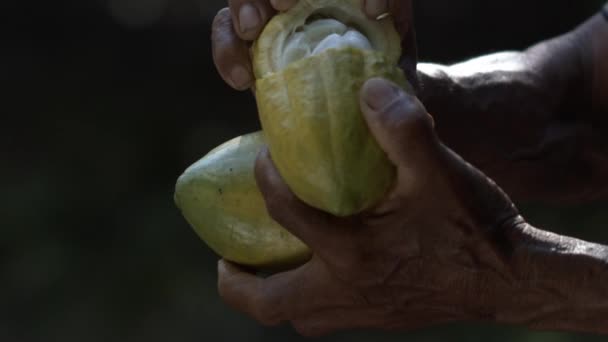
(310, 63)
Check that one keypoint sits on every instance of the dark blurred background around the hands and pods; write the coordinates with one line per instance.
(106, 102)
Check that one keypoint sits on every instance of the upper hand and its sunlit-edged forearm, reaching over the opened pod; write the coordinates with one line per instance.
(531, 109)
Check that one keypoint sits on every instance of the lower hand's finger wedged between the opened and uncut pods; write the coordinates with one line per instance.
(322, 232)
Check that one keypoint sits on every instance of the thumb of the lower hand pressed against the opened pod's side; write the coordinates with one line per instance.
(399, 122)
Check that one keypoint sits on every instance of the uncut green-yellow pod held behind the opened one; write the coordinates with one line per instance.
(219, 197)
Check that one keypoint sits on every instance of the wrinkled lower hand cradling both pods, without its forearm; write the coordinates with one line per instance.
(432, 252)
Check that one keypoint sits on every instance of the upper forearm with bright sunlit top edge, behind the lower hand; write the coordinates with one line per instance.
(533, 120)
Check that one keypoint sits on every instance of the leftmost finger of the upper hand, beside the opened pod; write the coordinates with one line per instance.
(230, 53)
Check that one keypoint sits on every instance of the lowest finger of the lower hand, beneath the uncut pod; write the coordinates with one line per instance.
(281, 297)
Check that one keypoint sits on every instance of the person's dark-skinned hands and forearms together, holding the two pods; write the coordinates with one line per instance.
(448, 244)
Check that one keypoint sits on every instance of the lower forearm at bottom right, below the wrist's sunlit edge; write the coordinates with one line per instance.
(560, 283)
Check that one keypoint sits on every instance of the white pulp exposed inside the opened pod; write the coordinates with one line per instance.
(318, 36)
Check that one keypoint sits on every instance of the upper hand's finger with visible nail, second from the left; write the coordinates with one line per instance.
(250, 16)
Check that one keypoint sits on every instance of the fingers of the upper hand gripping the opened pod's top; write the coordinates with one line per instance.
(234, 29)
